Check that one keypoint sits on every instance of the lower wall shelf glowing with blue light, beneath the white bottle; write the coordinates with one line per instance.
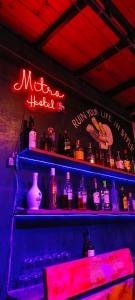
(59, 217)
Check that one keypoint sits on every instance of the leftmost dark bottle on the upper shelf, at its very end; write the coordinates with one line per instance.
(24, 136)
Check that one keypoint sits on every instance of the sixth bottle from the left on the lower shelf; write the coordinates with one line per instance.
(105, 197)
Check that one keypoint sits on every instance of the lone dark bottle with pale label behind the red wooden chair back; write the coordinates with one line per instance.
(88, 248)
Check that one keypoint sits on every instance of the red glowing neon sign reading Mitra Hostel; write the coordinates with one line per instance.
(39, 94)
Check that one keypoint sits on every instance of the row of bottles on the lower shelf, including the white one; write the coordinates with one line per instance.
(94, 198)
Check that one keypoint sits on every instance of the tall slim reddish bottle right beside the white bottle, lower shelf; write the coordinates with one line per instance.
(52, 190)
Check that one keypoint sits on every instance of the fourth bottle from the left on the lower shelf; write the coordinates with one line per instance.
(82, 195)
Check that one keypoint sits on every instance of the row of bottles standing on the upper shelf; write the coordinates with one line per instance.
(118, 160)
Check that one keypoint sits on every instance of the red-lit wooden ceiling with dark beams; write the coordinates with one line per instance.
(95, 40)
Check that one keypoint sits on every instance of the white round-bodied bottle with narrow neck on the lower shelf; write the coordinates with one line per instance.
(34, 195)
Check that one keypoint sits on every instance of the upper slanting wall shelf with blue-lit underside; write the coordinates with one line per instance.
(36, 158)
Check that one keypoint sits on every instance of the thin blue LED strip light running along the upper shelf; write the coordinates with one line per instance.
(75, 169)
